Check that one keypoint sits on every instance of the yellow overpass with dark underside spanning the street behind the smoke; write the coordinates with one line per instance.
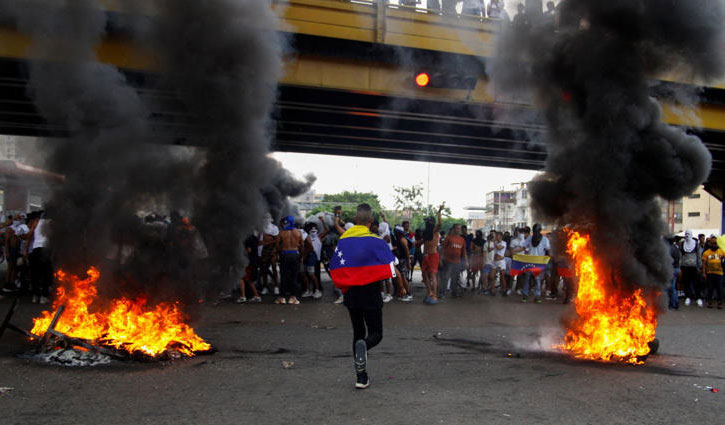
(348, 89)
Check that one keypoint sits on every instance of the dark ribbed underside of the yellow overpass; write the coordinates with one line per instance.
(314, 120)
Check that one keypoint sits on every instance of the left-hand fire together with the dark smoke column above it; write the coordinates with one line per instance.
(221, 60)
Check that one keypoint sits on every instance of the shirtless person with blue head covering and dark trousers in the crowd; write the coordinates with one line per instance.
(289, 246)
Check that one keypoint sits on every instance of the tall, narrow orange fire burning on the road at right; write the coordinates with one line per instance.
(610, 325)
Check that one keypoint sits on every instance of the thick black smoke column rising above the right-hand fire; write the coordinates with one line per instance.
(609, 154)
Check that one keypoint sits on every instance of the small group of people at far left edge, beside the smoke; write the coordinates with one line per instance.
(25, 249)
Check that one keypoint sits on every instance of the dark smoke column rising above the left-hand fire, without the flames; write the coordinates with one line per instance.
(222, 60)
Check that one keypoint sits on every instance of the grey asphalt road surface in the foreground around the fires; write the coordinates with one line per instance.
(472, 360)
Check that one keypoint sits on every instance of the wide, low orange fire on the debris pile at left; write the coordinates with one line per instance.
(126, 324)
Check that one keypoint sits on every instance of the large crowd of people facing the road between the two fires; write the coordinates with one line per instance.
(288, 263)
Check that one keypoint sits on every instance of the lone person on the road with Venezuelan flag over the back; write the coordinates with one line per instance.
(360, 261)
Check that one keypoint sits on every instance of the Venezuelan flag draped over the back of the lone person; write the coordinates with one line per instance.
(361, 258)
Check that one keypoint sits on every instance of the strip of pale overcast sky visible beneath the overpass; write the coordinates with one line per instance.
(458, 185)
